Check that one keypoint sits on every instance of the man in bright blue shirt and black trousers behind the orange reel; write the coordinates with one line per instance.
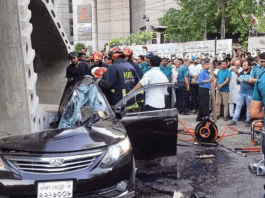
(204, 95)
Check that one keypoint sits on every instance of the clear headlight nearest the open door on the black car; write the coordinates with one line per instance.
(116, 151)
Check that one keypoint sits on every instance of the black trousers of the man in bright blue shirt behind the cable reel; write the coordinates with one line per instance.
(204, 99)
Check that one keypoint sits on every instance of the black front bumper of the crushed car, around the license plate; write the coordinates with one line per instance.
(94, 181)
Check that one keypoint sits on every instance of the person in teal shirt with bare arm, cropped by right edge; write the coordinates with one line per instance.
(258, 99)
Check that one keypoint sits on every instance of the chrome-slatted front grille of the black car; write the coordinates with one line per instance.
(53, 165)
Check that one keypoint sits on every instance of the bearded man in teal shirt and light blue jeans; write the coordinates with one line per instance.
(245, 94)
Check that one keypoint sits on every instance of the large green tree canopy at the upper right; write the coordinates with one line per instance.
(199, 16)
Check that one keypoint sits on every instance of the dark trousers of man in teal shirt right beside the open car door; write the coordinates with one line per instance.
(183, 98)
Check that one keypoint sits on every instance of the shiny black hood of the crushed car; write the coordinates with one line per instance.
(101, 134)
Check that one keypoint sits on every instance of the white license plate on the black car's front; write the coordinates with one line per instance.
(60, 189)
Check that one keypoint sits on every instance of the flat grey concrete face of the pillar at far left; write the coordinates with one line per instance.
(14, 107)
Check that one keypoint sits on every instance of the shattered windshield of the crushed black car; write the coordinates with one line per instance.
(85, 101)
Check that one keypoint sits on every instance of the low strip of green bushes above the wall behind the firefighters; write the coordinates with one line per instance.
(139, 38)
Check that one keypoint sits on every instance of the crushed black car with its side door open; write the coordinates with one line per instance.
(91, 152)
